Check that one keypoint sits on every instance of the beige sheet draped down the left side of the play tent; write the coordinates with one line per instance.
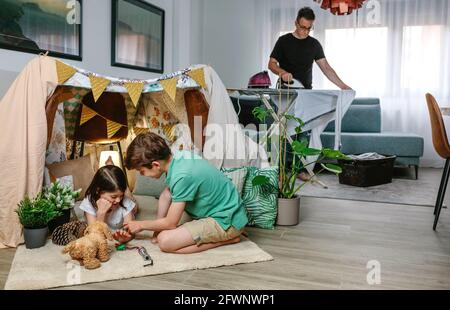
(23, 137)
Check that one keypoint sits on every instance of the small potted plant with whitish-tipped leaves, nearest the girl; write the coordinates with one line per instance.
(63, 197)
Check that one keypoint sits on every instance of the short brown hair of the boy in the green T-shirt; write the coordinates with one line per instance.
(145, 149)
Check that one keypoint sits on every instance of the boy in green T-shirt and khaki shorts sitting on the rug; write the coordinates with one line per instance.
(194, 186)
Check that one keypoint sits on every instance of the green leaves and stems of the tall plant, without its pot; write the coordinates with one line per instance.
(288, 185)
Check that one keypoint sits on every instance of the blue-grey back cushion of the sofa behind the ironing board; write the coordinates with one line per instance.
(364, 115)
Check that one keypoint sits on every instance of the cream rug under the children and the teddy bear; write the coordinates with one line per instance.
(46, 267)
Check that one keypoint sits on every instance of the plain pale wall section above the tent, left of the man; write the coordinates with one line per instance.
(228, 41)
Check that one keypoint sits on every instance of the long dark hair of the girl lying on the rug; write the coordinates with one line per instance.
(107, 179)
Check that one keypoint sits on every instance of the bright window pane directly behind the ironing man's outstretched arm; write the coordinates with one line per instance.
(359, 56)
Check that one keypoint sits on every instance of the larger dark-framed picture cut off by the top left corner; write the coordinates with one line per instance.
(37, 26)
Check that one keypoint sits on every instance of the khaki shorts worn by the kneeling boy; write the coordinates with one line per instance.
(207, 230)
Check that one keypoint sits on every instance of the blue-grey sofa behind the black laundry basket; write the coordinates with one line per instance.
(361, 133)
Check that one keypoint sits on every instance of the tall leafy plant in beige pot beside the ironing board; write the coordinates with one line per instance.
(289, 185)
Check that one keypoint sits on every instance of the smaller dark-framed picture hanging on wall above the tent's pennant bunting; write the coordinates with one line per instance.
(137, 36)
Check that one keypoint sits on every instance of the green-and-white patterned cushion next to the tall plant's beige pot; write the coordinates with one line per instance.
(261, 202)
